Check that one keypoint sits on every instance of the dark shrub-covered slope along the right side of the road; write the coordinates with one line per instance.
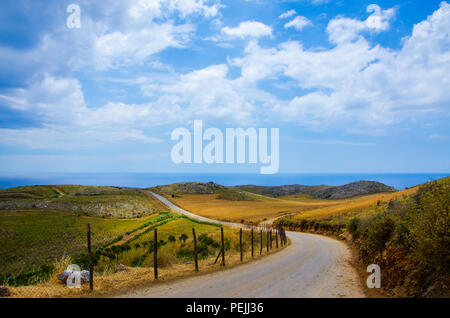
(408, 236)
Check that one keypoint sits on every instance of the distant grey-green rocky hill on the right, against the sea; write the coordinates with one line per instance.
(321, 192)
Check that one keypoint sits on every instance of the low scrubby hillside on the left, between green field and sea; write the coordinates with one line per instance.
(86, 200)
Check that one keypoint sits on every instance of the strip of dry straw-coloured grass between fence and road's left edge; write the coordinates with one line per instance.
(114, 284)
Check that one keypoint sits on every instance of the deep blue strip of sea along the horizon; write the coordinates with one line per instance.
(399, 181)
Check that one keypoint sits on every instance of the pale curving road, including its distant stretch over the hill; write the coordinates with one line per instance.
(311, 266)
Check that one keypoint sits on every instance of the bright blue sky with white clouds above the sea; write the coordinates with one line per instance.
(352, 86)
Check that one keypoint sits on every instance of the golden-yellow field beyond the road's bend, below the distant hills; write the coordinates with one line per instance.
(208, 205)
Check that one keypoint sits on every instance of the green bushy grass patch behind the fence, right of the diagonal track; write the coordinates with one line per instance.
(138, 252)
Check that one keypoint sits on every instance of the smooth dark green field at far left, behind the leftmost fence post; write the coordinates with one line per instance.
(31, 239)
